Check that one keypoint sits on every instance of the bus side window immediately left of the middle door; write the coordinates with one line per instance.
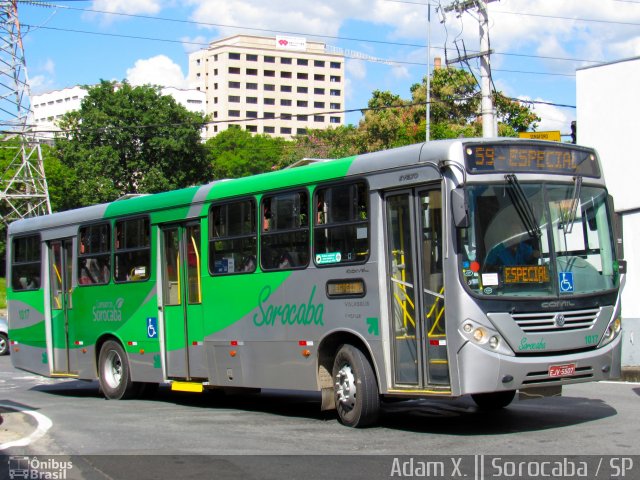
(133, 250)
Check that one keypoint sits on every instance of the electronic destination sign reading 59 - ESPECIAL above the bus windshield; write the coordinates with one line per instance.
(530, 158)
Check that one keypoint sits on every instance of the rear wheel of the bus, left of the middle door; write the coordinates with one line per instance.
(114, 372)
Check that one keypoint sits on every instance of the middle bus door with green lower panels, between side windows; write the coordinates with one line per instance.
(182, 301)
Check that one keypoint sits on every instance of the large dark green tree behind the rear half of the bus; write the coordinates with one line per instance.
(127, 140)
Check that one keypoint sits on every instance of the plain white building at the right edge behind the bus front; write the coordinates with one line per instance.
(608, 102)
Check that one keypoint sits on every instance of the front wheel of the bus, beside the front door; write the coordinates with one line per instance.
(355, 388)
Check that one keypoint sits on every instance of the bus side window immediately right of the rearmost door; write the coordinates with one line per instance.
(94, 257)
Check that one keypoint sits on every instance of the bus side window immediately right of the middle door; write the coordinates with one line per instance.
(233, 237)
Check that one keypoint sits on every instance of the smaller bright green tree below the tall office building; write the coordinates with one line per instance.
(235, 153)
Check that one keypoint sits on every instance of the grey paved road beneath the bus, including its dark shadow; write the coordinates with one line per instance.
(590, 419)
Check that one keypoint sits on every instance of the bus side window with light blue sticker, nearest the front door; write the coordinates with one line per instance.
(341, 227)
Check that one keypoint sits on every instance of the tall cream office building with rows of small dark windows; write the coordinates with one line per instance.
(279, 86)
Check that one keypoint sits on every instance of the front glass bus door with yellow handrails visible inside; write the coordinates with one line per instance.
(414, 254)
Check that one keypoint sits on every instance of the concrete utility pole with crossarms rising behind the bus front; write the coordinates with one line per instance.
(489, 126)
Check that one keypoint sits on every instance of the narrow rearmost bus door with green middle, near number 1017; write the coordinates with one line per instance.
(60, 275)
